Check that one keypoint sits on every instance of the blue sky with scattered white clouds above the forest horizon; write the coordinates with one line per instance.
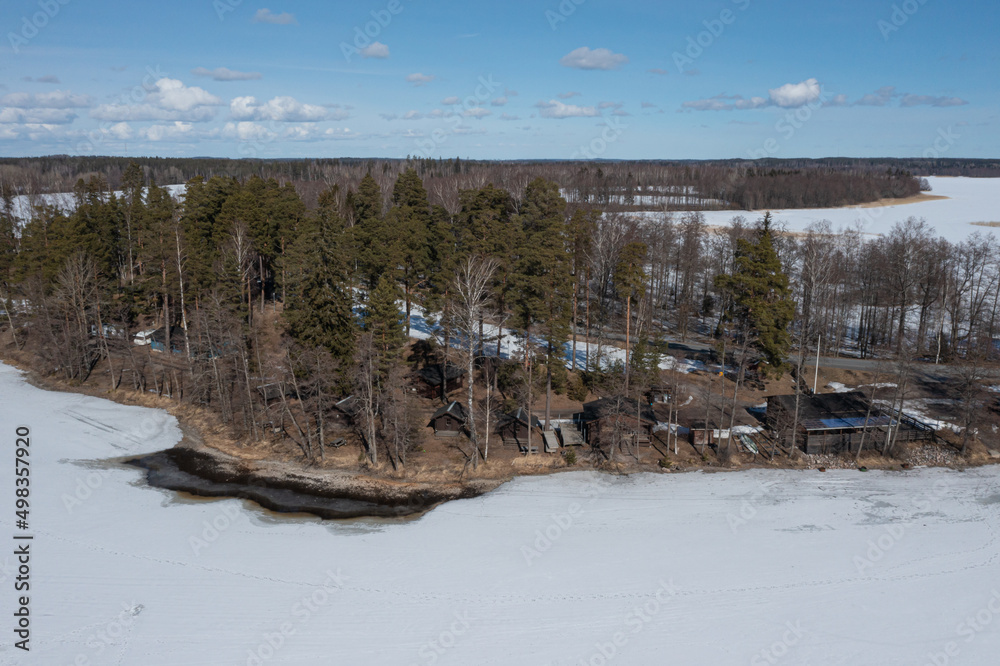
(518, 79)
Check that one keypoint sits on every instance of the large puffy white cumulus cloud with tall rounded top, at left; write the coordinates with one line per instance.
(169, 99)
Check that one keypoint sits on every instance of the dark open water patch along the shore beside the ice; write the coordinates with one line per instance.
(164, 470)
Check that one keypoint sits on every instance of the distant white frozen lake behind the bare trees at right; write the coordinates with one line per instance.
(969, 200)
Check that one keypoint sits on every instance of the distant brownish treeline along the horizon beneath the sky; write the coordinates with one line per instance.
(624, 186)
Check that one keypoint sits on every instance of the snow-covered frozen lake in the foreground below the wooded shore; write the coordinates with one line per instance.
(741, 568)
